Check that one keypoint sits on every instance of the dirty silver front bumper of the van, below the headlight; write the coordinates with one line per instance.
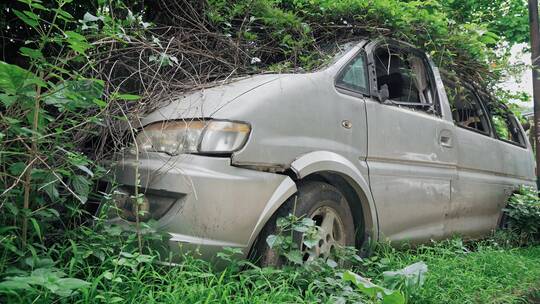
(216, 205)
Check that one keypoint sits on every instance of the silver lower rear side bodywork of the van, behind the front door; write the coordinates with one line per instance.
(490, 170)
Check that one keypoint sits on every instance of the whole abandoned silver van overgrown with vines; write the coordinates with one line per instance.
(372, 147)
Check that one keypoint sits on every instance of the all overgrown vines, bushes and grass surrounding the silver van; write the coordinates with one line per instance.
(84, 72)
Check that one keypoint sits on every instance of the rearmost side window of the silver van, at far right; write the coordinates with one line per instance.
(505, 125)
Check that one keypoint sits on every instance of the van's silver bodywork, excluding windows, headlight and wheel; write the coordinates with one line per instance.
(416, 175)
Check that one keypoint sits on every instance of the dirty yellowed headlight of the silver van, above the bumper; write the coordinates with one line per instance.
(196, 136)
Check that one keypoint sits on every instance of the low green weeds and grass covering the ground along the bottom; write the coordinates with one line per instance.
(106, 267)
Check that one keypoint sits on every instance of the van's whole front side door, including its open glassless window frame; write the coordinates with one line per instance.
(411, 146)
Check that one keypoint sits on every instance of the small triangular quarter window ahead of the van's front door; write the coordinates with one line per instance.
(354, 75)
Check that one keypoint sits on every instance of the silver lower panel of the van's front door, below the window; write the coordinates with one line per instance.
(410, 171)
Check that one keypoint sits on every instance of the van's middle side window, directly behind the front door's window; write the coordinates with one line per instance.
(467, 110)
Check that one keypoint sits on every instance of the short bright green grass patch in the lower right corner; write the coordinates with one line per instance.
(486, 275)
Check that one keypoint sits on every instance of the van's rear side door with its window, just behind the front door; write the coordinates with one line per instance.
(479, 192)
